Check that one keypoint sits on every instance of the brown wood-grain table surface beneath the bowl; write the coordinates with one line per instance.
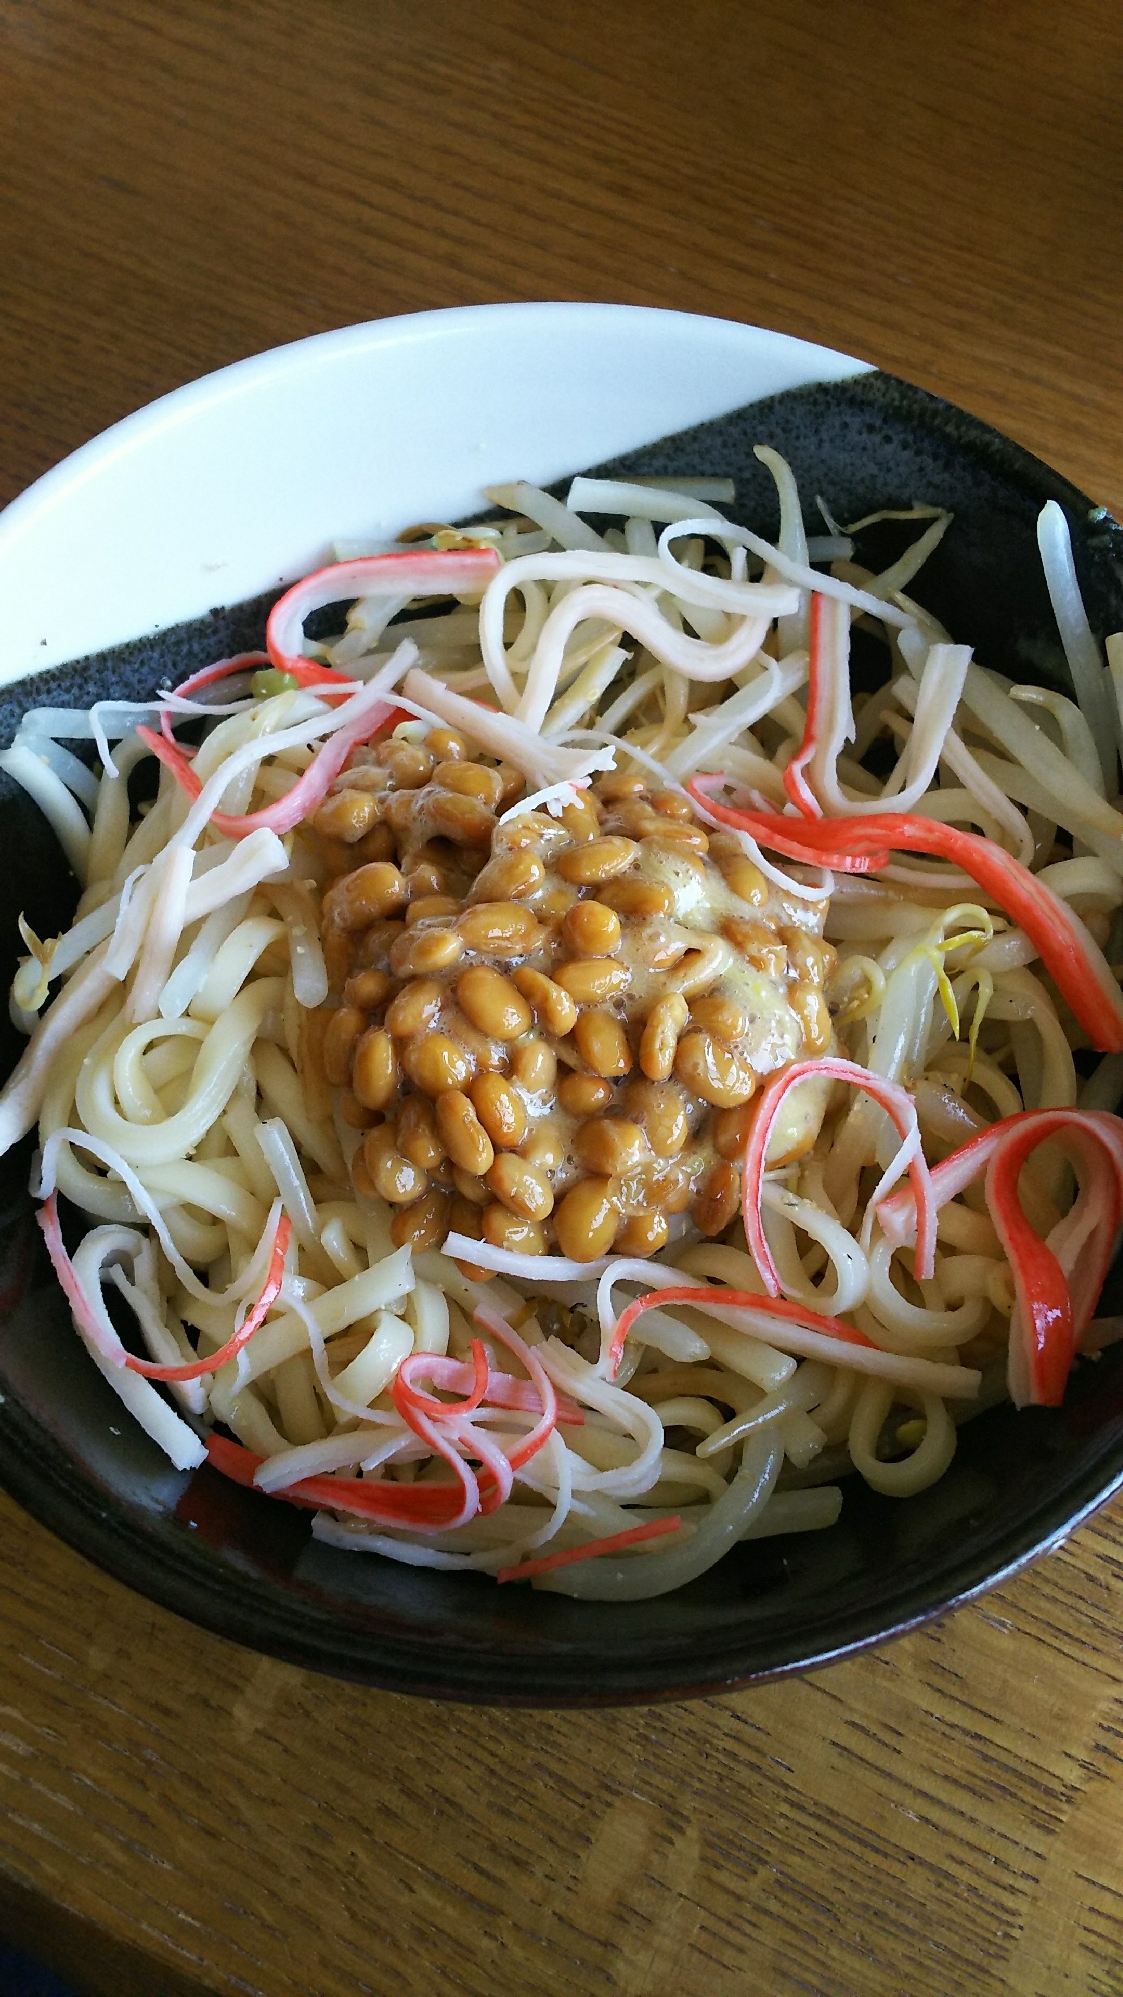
(930, 187)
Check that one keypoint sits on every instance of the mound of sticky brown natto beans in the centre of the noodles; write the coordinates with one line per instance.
(549, 1033)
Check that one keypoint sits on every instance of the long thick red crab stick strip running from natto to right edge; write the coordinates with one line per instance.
(862, 846)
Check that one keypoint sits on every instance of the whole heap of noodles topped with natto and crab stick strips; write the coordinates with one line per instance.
(553, 1079)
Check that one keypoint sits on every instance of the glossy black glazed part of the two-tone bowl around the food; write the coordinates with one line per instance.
(247, 1567)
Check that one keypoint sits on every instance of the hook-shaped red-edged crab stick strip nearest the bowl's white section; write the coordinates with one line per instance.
(431, 574)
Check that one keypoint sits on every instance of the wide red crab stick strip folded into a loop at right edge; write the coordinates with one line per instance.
(1056, 1281)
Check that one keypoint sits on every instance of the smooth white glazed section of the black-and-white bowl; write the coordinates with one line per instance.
(233, 484)
